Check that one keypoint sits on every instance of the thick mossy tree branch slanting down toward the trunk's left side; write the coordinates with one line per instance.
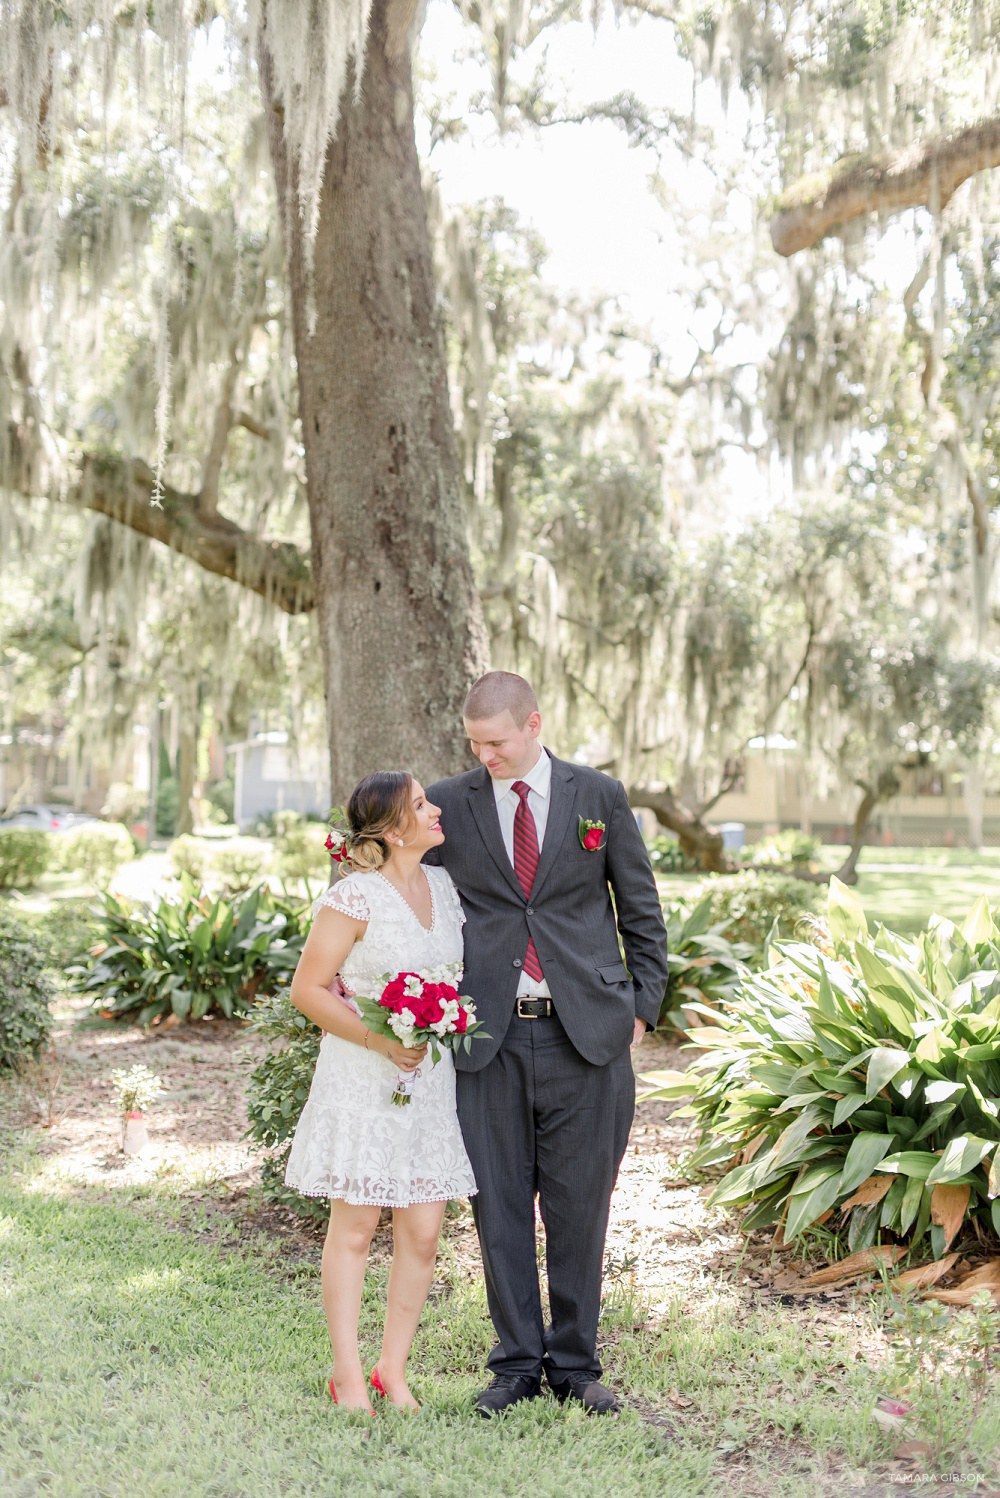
(122, 489)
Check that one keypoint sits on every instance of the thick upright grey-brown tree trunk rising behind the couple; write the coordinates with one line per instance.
(399, 616)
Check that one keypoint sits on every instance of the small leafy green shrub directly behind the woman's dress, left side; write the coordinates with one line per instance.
(276, 1093)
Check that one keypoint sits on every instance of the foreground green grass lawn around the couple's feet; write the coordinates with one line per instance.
(143, 1359)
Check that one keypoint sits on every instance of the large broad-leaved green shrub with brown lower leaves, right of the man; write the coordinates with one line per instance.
(863, 1084)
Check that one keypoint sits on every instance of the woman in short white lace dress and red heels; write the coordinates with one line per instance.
(390, 915)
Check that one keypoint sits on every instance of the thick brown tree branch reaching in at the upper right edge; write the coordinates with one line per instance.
(923, 176)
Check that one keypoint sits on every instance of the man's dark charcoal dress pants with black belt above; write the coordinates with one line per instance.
(540, 1120)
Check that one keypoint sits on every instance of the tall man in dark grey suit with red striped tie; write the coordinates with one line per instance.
(538, 847)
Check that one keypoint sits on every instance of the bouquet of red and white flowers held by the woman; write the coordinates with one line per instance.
(423, 1009)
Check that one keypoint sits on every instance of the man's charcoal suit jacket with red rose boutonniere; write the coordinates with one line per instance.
(570, 913)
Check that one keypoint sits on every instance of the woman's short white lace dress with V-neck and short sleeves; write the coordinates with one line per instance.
(353, 1142)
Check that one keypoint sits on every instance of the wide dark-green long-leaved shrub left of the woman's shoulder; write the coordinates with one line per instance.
(191, 956)
